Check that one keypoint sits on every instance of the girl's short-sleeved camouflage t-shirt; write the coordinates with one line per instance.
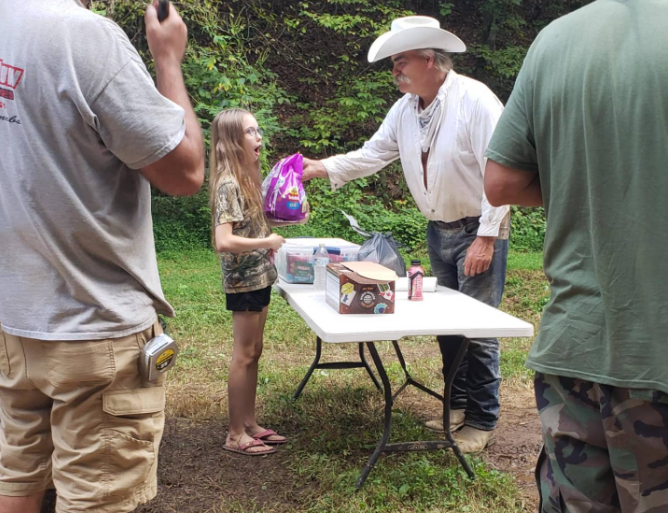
(251, 270)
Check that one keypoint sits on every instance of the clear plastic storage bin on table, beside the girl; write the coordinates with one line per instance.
(294, 261)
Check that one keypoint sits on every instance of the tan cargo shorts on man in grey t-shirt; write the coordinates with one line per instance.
(77, 414)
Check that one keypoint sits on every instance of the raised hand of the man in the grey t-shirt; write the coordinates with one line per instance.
(167, 40)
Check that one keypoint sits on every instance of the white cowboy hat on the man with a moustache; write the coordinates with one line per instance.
(414, 33)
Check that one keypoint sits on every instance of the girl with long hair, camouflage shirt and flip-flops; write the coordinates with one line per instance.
(242, 236)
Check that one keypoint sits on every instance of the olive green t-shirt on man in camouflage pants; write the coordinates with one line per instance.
(589, 113)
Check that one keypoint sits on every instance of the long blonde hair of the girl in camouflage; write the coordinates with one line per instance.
(228, 159)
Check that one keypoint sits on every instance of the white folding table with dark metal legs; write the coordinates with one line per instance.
(444, 312)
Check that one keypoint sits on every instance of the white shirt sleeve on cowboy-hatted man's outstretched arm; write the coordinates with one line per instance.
(379, 151)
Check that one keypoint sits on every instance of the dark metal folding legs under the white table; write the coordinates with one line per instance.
(383, 446)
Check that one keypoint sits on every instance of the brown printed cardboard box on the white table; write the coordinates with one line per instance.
(360, 288)
